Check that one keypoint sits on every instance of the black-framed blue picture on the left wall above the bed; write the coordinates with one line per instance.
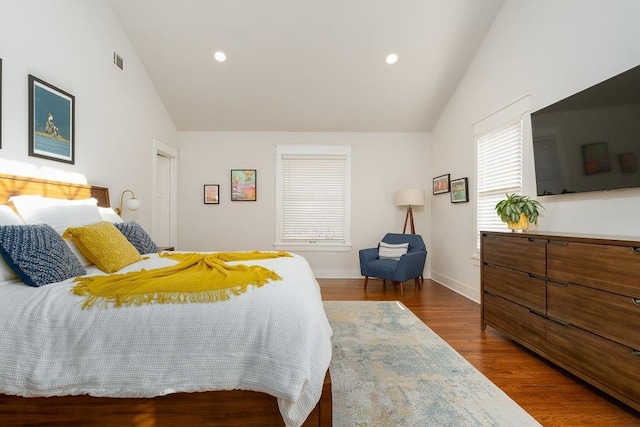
(51, 122)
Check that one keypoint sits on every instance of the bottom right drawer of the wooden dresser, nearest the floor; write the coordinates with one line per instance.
(612, 365)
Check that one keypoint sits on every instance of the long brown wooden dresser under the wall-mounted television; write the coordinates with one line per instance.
(573, 299)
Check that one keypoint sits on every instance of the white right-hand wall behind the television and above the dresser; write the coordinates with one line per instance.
(549, 49)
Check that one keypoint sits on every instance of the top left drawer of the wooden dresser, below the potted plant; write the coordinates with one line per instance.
(515, 251)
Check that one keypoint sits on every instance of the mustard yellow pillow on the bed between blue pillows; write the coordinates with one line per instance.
(104, 245)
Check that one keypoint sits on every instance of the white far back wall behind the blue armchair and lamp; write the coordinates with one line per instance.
(381, 164)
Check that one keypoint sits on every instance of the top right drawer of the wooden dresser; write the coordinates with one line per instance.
(611, 268)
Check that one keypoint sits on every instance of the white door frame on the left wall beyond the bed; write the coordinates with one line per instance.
(173, 154)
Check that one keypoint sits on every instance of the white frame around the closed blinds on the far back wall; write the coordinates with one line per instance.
(312, 151)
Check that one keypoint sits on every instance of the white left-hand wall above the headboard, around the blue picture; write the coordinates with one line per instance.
(70, 44)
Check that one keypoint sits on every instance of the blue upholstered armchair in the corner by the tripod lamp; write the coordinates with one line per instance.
(409, 266)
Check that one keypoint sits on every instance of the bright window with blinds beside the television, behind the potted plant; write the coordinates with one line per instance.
(499, 156)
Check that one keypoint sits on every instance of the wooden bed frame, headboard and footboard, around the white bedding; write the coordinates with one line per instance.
(215, 408)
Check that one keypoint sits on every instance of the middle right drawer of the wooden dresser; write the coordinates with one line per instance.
(610, 315)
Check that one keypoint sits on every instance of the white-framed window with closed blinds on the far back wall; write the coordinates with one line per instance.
(313, 197)
